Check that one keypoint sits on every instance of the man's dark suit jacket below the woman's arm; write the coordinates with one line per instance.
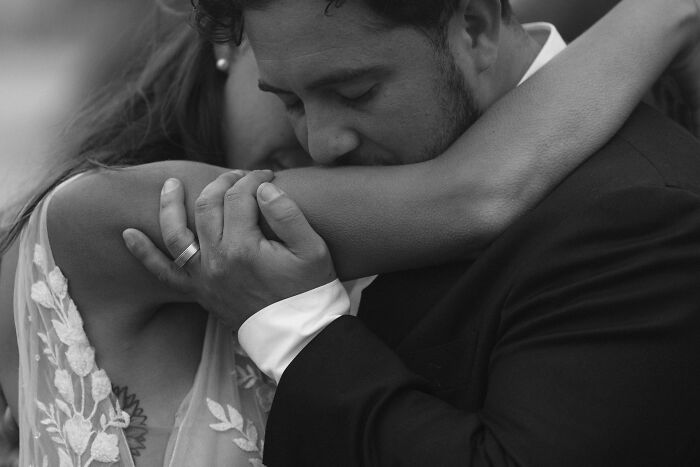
(573, 340)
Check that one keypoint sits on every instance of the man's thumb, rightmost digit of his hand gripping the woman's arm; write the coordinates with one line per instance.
(287, 221)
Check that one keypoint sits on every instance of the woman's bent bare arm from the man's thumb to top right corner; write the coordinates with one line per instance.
(453, 206)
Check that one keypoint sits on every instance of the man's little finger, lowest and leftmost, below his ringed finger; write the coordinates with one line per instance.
(155, 261)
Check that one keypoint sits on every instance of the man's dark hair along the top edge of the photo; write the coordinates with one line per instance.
(222, 20)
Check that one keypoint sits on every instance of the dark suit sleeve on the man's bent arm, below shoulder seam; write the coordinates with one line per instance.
(596, 360)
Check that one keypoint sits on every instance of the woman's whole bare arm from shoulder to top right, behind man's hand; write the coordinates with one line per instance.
(385, 218)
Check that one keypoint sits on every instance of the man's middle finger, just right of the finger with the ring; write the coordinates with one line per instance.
(209, 208)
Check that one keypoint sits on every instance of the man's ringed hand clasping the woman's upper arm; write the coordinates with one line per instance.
(237, 271)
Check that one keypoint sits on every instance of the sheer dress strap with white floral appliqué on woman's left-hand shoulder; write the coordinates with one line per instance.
(68, 416)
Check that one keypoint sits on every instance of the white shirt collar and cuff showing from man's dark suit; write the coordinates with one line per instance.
(275, 335)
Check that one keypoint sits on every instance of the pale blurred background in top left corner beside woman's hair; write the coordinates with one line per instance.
(53, 55)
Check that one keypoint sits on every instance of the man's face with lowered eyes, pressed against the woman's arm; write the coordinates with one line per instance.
(358, 92)
